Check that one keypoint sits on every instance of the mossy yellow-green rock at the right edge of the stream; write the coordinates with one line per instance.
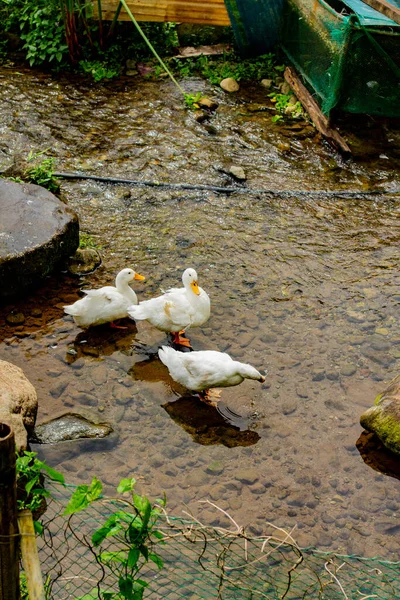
(383, 418)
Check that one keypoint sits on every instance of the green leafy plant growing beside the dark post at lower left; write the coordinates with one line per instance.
(31, 492)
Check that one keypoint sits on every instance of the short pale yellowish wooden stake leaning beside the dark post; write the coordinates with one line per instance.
(30, 556)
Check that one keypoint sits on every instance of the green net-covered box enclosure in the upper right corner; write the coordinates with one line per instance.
(347, 53)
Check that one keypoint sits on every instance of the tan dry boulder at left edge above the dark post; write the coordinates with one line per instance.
(18, 403)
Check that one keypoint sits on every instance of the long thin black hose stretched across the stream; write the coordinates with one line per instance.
(227, 190)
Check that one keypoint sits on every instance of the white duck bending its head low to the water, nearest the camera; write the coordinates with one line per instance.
(199, 371)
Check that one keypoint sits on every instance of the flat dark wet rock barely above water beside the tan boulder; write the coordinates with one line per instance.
(70, 426)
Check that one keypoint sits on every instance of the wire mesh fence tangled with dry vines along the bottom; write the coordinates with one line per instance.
(203, 563)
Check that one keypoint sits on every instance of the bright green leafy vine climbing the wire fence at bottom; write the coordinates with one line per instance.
(132, 530)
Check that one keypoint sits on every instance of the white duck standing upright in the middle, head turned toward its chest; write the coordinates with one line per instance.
(177, 309)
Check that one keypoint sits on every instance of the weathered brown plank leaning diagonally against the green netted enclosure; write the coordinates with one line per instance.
(310, 105)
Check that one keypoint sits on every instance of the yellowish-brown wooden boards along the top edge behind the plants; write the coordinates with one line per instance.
(208, 12)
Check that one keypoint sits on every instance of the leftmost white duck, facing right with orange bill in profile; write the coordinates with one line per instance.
(106, 304)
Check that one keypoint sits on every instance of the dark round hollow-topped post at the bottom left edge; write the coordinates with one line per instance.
(9, 538)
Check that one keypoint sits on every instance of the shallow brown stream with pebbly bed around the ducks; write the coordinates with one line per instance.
(304, 287)
